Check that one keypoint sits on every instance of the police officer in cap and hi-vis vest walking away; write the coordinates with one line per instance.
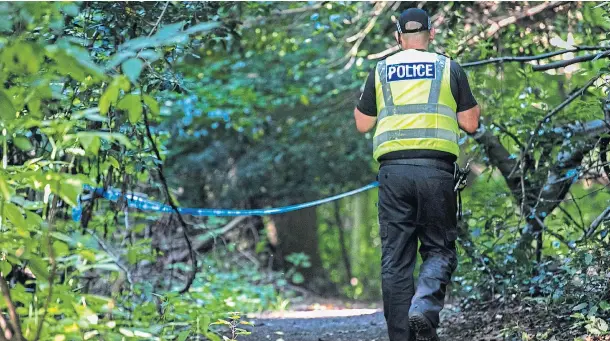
(418, 100)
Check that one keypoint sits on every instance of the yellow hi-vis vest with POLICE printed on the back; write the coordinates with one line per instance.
(415, 106)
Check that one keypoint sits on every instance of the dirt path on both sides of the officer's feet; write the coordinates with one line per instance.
(336, 321)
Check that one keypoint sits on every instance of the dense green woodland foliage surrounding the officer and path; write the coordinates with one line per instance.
(250, 105)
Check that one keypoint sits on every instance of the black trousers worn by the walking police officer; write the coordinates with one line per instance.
(415, 203)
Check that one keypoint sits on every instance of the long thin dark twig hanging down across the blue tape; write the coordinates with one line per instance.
(171, 202)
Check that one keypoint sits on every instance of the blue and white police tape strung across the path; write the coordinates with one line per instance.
(140, 203)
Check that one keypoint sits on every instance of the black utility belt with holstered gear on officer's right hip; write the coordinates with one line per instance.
(460, 175)
